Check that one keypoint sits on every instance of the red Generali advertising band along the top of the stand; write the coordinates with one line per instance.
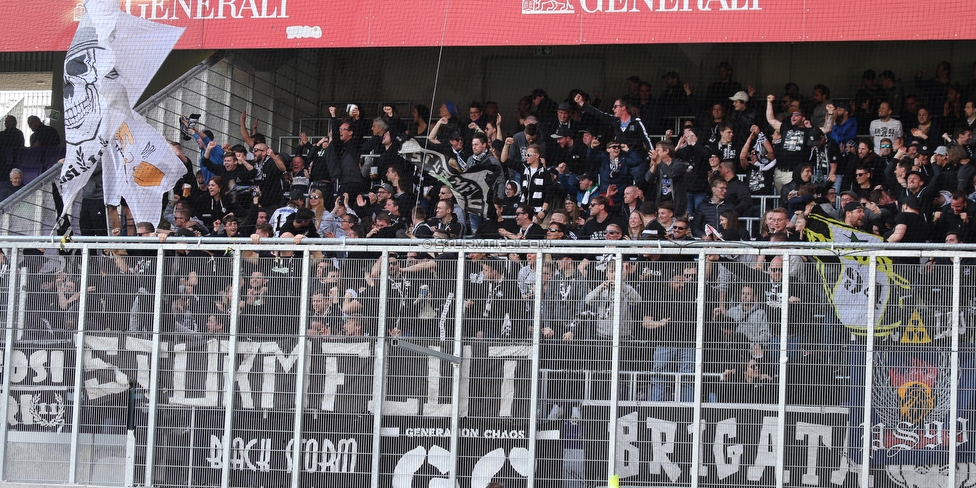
(253, 24)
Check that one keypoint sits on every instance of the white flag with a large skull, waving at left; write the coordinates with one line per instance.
(112, 58)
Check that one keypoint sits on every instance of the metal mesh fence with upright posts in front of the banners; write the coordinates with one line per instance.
(194, 365)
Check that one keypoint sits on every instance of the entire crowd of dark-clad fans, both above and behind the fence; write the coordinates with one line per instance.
(892, 161)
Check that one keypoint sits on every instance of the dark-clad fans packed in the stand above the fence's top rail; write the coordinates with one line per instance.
(589, 174)
